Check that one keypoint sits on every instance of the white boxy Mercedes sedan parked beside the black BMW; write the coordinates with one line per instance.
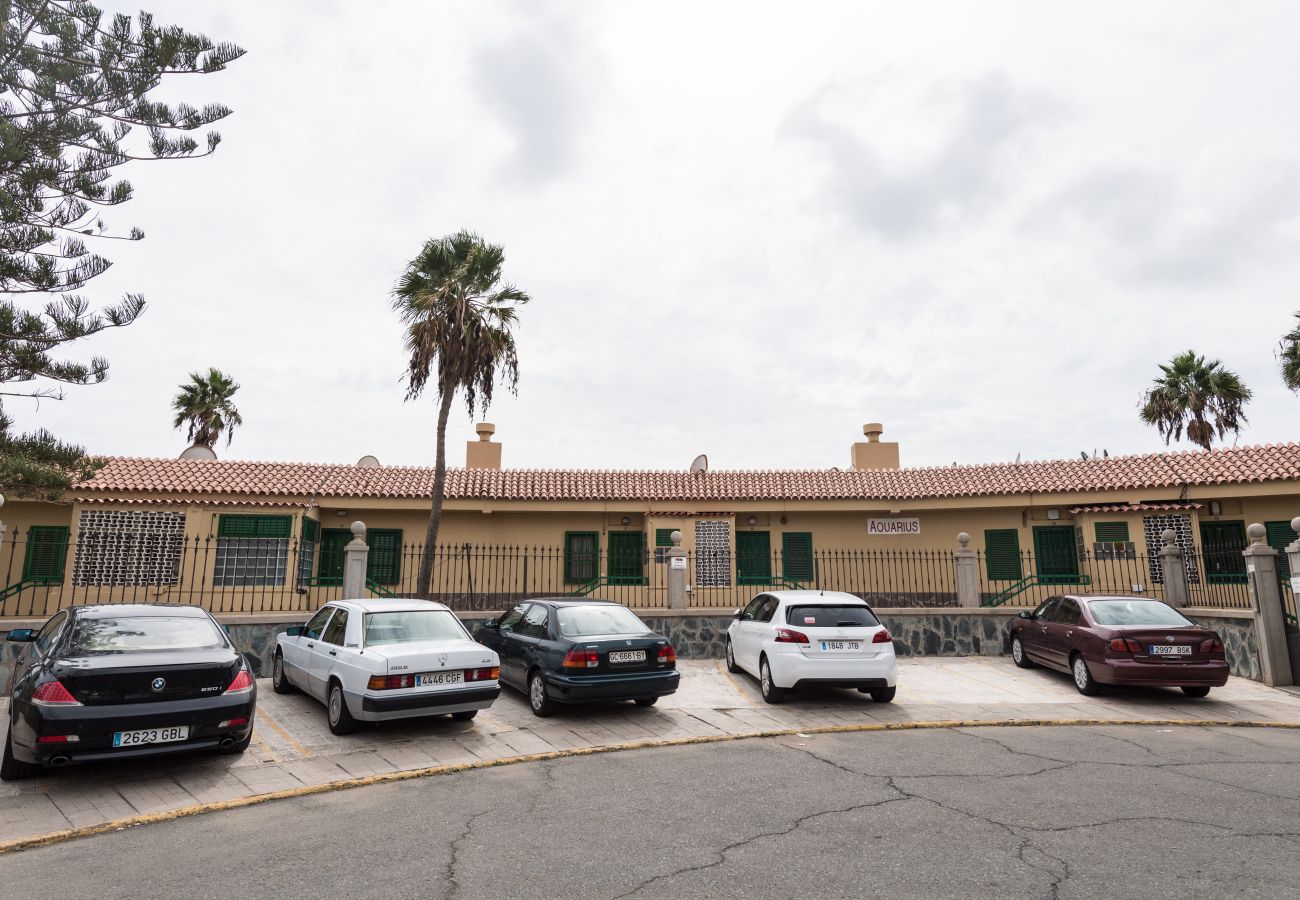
(379, 660)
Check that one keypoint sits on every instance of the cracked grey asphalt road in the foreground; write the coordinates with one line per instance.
(1072, 812)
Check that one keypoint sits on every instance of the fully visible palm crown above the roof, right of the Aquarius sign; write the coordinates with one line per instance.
(1198, 396)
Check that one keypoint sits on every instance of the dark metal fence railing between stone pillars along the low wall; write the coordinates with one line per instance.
(42, 572)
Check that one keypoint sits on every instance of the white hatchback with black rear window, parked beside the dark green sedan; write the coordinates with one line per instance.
(791, 639)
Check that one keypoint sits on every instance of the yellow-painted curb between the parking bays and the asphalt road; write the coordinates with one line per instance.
(388, 778)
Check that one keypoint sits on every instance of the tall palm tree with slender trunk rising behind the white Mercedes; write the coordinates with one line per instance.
(458, 317)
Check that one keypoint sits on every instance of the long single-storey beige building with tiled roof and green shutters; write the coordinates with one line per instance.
(245, 536)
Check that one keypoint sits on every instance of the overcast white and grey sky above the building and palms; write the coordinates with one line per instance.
(748, 228)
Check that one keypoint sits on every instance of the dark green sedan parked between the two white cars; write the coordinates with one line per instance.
(567, 651)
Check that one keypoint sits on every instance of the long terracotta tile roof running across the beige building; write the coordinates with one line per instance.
(310, 482)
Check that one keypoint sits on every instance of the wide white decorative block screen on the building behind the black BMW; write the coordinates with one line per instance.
(128, 548)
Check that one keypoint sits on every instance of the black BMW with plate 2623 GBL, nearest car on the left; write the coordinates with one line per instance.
(132, 681)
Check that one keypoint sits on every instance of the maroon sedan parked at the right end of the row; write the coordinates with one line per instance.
(1120, 641)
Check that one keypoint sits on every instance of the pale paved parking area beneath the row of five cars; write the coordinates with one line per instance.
(293, 746)
